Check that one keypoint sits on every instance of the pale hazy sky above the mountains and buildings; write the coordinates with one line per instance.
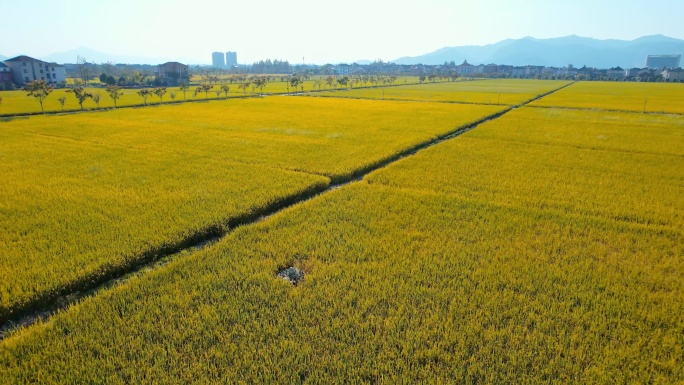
(320, 31)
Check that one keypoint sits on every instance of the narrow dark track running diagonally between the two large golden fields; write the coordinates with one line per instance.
(48, 307)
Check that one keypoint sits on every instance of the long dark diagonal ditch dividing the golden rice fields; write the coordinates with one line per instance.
(49, 304)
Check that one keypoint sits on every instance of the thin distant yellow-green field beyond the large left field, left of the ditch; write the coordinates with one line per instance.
(502, 91)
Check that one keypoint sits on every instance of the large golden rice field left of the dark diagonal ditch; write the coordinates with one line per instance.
(88, 194)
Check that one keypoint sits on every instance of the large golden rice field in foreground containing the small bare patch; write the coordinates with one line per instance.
(530, 250)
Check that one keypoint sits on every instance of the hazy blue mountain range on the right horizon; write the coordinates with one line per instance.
(556, 52)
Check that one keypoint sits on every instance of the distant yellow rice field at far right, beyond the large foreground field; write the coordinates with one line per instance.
(627, 96)
